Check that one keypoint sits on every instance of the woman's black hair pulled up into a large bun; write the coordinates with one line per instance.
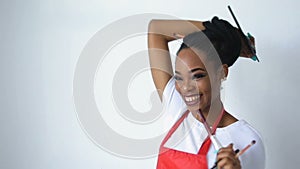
(220, 40)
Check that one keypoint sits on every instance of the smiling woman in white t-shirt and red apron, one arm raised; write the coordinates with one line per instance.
(208, 49)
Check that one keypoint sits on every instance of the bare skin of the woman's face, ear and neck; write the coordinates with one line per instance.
(198, 82)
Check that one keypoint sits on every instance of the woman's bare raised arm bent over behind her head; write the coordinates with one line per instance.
(161, 32)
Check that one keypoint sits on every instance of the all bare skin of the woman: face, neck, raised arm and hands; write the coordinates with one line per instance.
(160, 33)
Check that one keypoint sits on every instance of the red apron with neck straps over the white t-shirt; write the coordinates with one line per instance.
(175, 159)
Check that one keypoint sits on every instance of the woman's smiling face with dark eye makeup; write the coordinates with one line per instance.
(193, 81)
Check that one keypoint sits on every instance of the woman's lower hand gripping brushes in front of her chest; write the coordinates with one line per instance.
(226, 158)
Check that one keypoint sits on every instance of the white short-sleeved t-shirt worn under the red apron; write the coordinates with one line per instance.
(191, 133)
